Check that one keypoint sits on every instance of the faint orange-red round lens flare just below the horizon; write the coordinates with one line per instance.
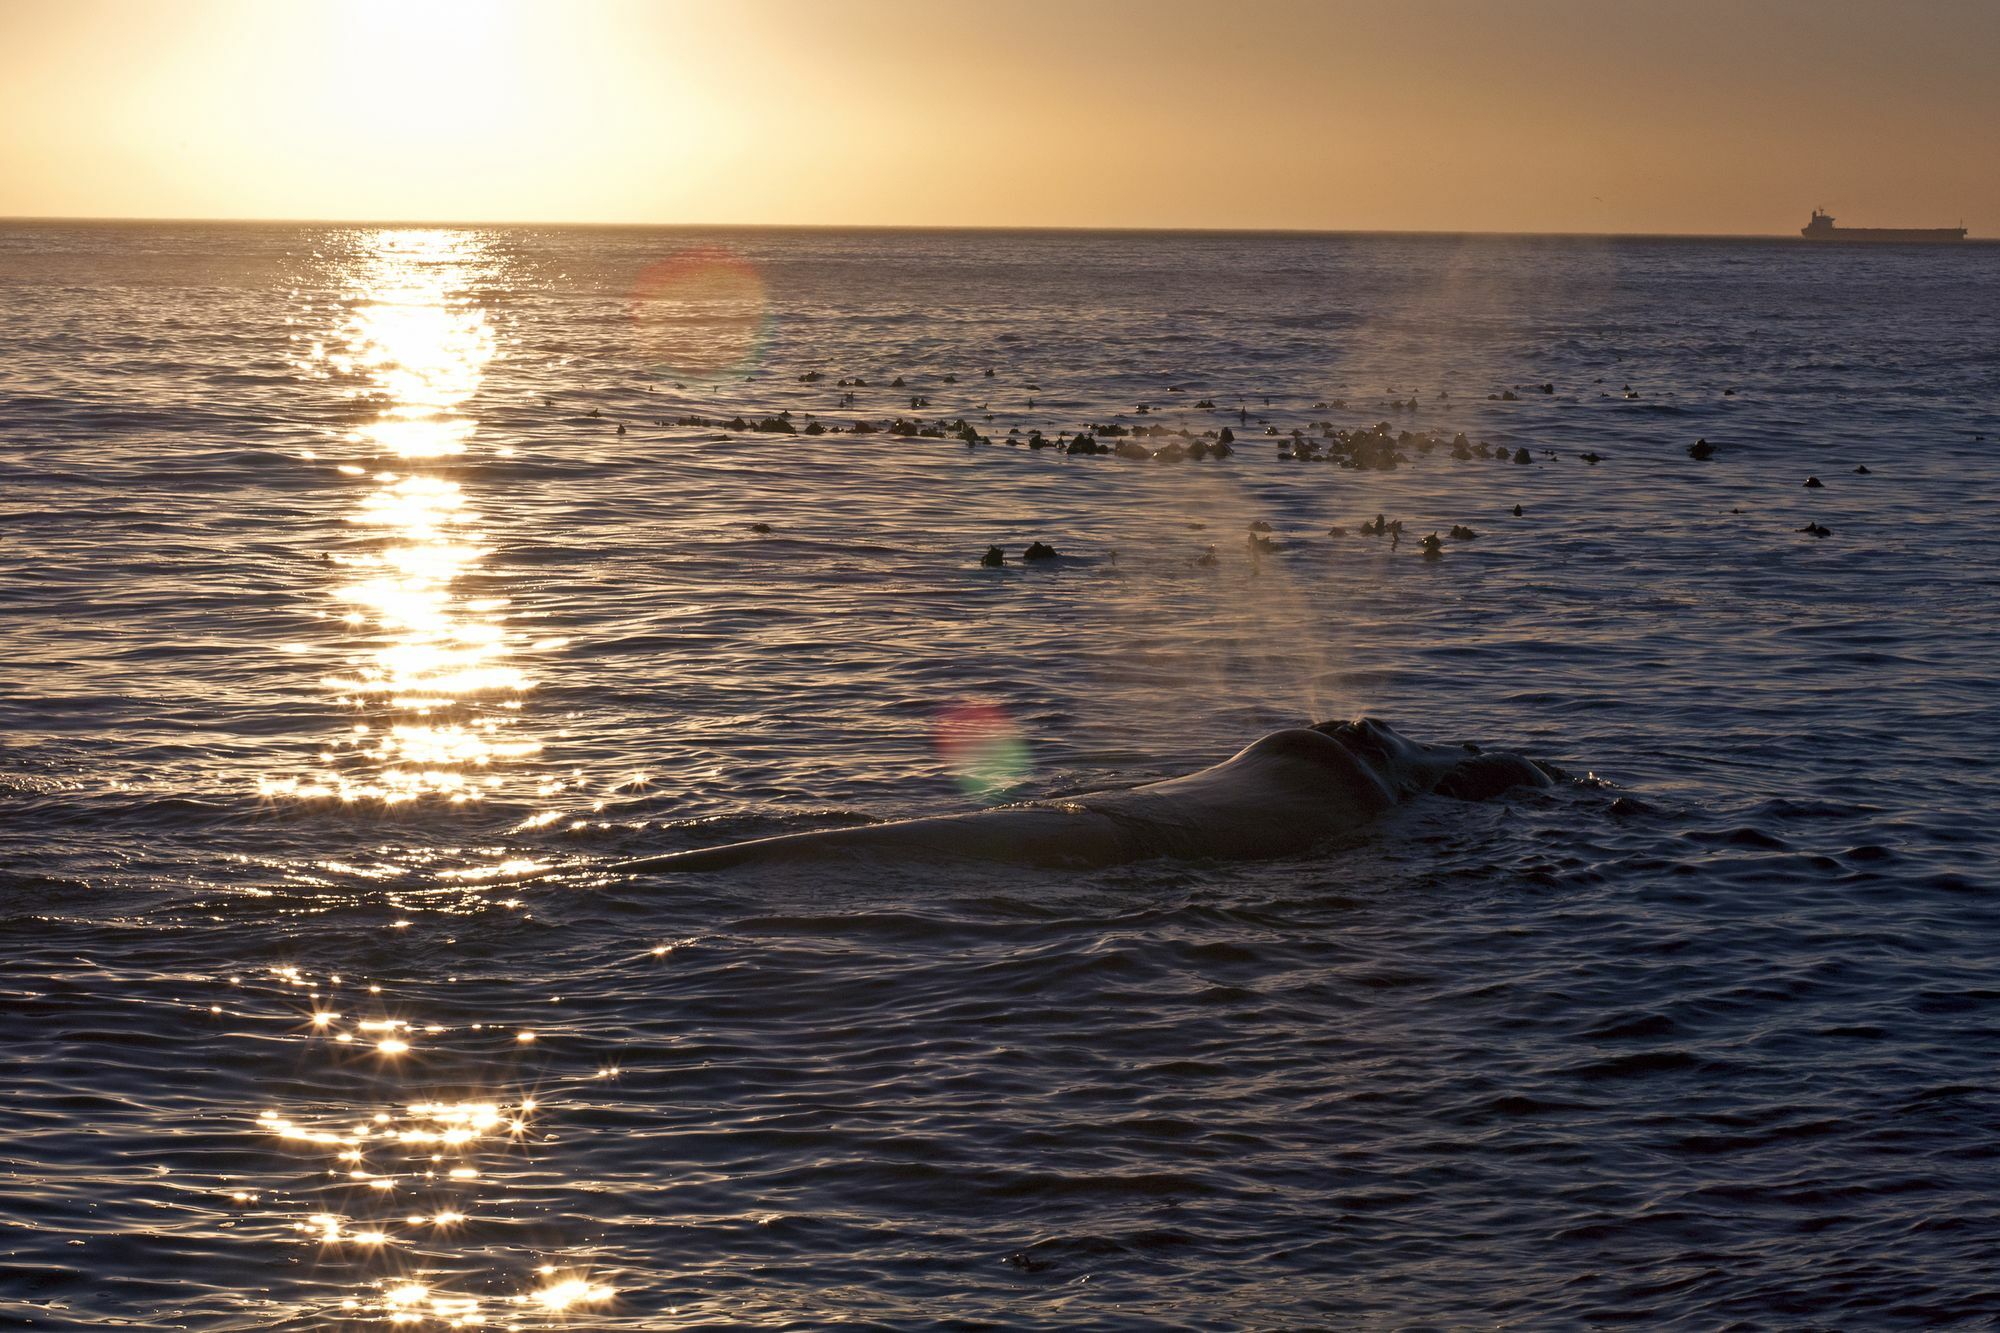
(701, 315)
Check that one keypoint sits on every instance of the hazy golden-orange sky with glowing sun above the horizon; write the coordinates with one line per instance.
(1435, 115)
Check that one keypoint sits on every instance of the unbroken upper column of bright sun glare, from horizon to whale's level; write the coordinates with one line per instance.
(427, 668)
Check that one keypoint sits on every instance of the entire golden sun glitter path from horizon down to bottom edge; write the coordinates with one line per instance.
(425, 668)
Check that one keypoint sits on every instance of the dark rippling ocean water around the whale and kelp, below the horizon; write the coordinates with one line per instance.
(349, 575)
